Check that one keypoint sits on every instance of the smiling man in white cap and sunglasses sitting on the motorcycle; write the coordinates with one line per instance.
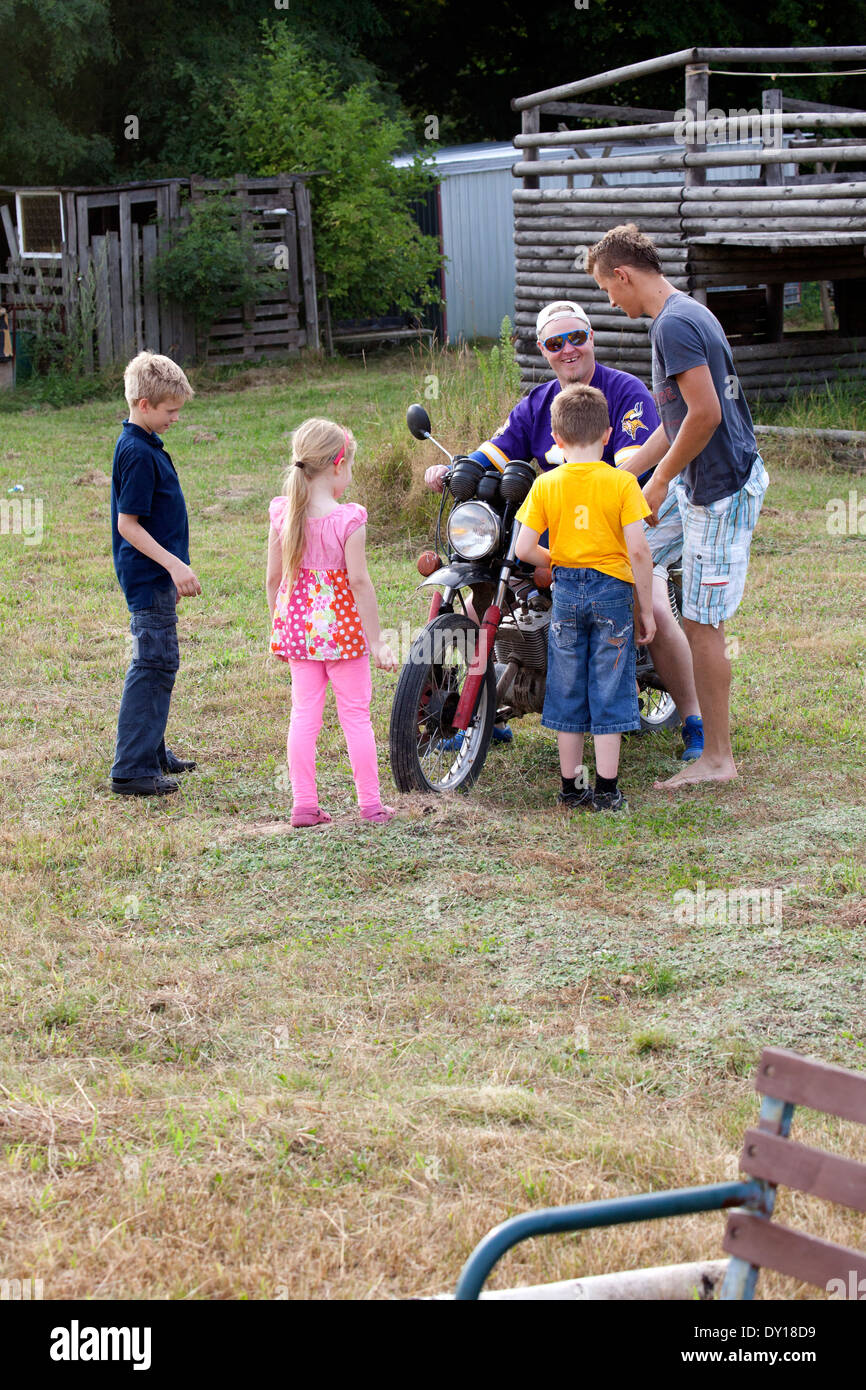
(565, 341)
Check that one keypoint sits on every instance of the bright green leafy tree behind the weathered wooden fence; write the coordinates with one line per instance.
(291, 116)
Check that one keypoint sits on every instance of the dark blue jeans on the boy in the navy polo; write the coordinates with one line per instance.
(144, 715)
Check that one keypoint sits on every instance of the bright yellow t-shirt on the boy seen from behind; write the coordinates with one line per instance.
(586, 507)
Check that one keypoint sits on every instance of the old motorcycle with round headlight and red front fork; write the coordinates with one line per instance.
(483, 660)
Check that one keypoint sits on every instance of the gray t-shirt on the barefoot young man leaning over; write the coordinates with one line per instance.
(686, 334)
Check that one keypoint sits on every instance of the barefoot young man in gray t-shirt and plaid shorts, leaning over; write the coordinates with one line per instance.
(707, 443)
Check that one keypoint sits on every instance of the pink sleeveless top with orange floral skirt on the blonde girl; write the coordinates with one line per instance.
(319, 619)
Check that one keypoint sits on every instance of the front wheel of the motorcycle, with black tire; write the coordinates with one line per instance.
(427, 753)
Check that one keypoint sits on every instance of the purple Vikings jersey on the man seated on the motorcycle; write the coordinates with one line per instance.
(528, 432)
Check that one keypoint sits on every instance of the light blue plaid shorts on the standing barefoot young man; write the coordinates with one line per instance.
(717, 543)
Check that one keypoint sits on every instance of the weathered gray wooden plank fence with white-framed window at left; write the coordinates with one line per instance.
(104, 277)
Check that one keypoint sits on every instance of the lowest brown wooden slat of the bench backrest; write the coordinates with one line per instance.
(810, 1259)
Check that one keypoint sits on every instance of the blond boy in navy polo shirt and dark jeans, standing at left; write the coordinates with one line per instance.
(151, 546)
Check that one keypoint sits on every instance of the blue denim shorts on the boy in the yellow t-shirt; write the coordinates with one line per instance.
(591, 655)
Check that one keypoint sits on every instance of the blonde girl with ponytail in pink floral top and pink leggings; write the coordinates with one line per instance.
(325, 615)
